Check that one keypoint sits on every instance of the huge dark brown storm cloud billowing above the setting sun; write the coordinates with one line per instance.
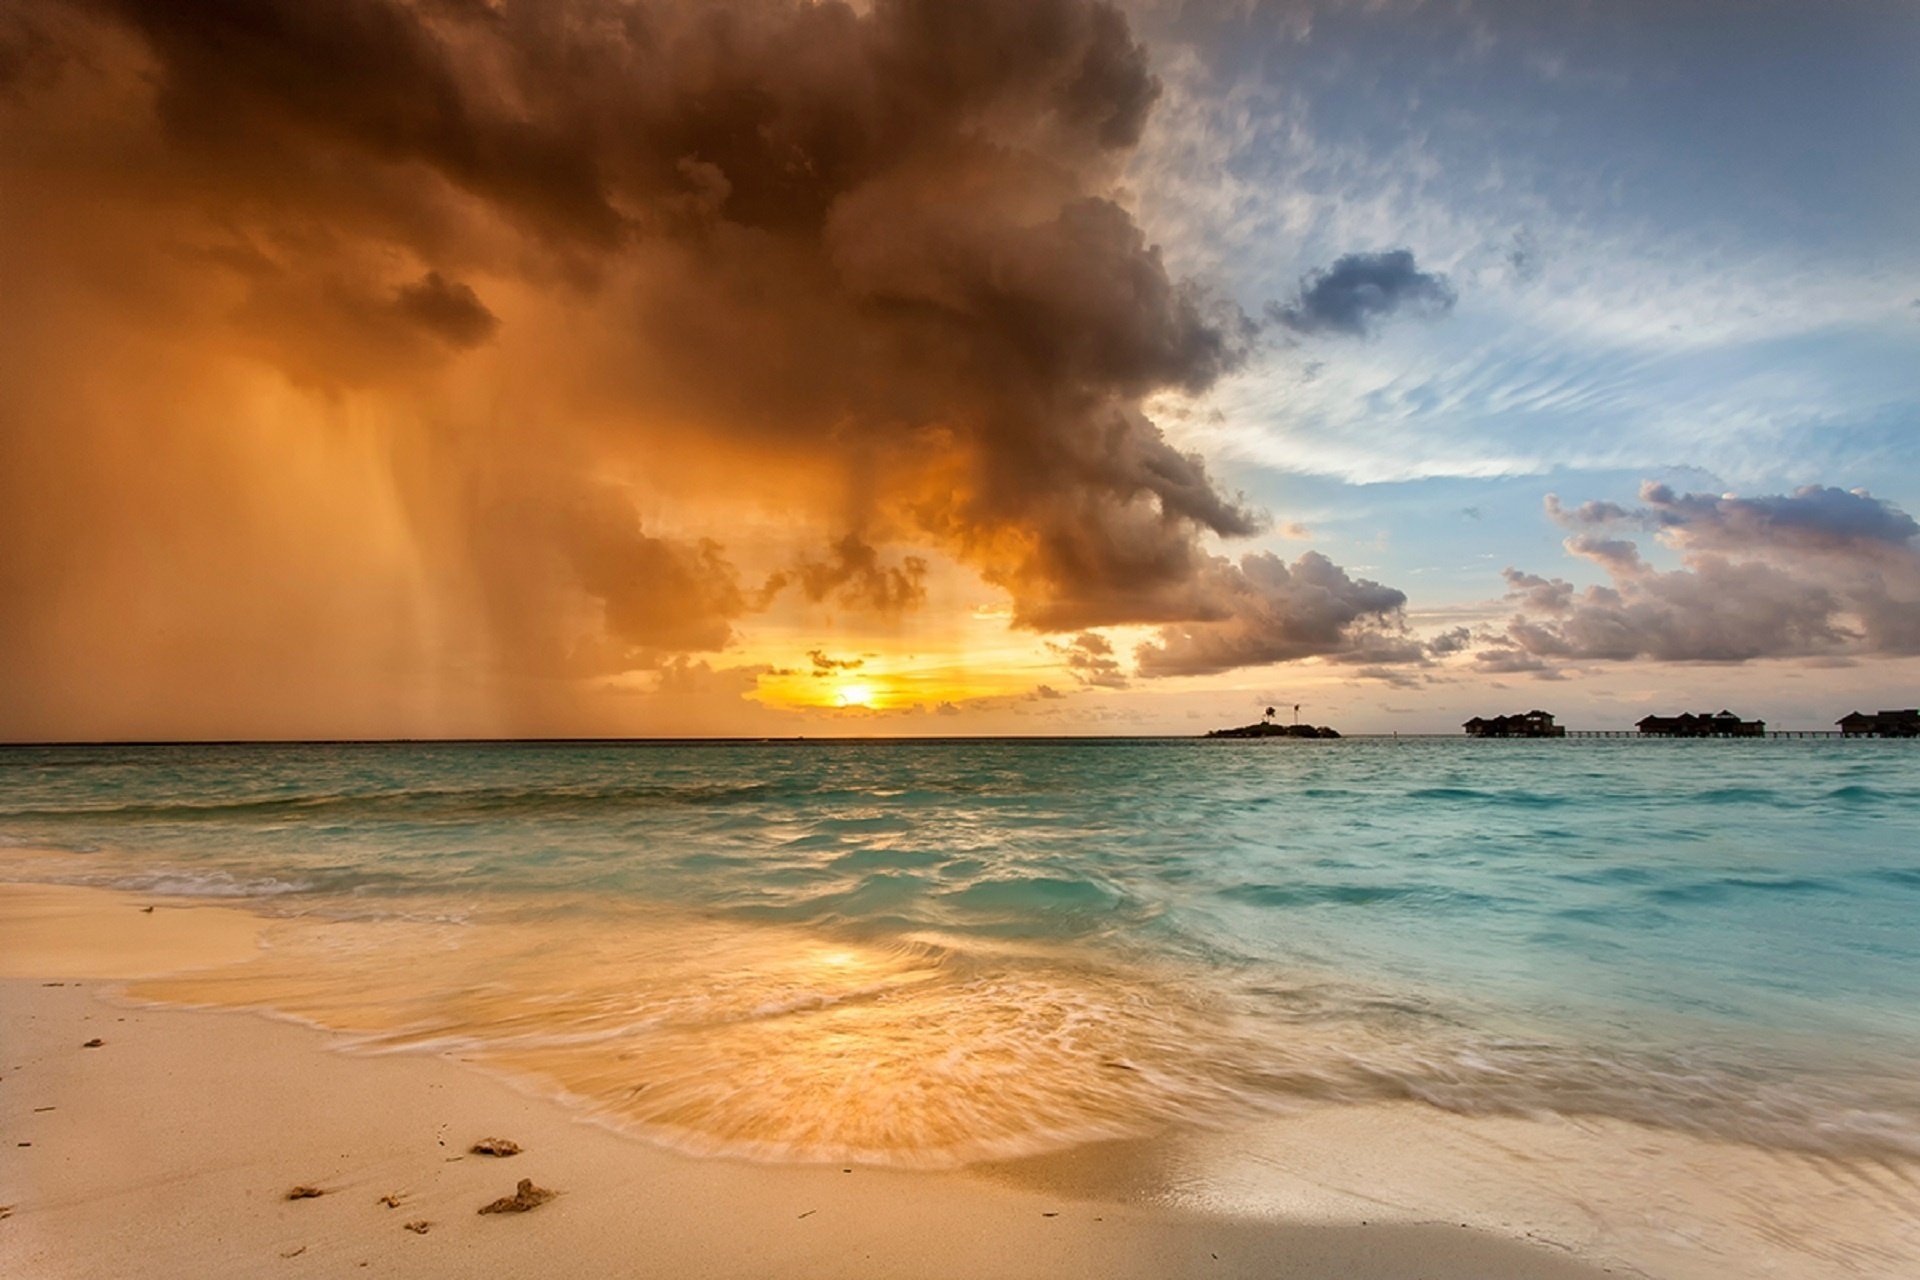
(907, 206)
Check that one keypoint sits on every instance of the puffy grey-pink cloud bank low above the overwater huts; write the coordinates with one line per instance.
(1819, 571)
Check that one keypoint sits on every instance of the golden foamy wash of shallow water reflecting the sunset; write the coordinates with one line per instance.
(752, 1041)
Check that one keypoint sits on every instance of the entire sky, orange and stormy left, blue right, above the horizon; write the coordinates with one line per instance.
(940, 367)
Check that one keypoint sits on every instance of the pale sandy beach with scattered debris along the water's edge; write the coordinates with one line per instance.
(172, 1147)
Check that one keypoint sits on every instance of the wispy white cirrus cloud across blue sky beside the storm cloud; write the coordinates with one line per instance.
(1602, 321)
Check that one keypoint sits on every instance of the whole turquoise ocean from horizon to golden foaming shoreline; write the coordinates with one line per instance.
(942, 953)
